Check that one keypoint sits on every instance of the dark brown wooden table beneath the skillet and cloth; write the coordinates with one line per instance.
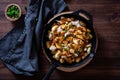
(106, 63)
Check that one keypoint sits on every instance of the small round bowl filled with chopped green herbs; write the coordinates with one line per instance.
(13, 12)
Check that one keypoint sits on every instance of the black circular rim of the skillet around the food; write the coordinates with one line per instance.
(47, 51)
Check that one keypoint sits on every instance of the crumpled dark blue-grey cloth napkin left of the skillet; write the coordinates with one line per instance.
(20, 47)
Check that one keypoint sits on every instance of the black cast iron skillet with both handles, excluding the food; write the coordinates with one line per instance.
(89, 23)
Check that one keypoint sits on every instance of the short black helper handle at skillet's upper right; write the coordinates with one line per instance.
(85, 15)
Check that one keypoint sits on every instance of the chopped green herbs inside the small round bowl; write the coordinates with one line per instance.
(13, 11)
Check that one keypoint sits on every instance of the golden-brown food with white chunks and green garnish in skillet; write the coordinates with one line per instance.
(69, 40)
